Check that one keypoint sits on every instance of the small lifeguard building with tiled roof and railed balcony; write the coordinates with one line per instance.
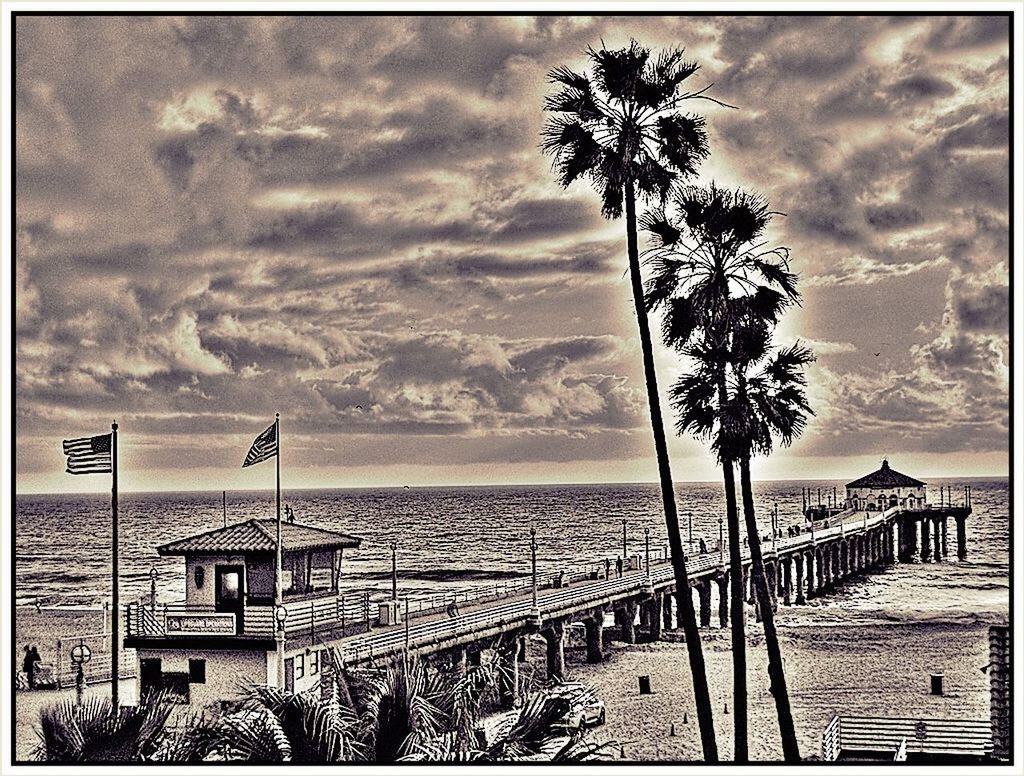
(230, 633)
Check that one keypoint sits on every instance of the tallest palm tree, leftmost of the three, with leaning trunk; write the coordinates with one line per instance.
(621, 128)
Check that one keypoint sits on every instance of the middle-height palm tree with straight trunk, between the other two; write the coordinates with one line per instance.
(710, 271)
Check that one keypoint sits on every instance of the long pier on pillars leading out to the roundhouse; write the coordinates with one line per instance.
(798, 569)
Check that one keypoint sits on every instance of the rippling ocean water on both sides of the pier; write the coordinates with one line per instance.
(466, 537)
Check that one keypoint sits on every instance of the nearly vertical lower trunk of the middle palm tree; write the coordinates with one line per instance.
(741, 753)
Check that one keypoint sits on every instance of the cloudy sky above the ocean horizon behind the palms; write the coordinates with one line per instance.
(349, 221)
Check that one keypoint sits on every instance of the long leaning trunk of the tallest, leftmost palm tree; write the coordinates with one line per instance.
(702, 697)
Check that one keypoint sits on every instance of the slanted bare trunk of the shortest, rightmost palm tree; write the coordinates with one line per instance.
(791, 751)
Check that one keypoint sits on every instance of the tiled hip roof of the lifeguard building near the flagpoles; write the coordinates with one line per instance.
(260, 536)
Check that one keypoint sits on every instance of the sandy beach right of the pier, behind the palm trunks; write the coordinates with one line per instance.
(858, 670)
